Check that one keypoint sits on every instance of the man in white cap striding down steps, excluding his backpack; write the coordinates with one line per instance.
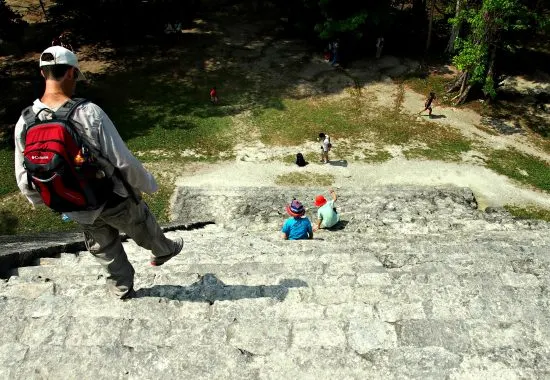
(123, 211)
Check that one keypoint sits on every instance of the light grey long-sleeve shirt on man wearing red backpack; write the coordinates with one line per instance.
(99, 132)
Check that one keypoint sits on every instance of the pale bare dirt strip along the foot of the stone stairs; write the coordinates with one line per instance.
(491, 189)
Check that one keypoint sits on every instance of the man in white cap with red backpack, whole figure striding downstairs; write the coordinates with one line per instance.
(89, 175)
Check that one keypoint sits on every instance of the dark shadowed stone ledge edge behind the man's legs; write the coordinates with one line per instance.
(23, 250)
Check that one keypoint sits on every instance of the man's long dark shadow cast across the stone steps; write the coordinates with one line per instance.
(210, 289)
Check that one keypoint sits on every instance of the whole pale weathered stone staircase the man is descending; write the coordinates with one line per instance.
(416, 283)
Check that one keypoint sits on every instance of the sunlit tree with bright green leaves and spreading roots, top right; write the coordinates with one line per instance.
(487, 24)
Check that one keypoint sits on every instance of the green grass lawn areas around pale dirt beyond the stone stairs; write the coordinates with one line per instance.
(161, 110)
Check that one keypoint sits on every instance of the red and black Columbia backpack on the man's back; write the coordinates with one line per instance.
(59, 165)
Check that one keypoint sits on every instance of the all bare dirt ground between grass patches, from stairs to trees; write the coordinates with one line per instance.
(256, 164)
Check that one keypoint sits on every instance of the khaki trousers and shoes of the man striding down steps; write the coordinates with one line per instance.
(103, 241)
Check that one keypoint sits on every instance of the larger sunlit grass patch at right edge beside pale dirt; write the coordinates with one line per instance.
(521, 167)
